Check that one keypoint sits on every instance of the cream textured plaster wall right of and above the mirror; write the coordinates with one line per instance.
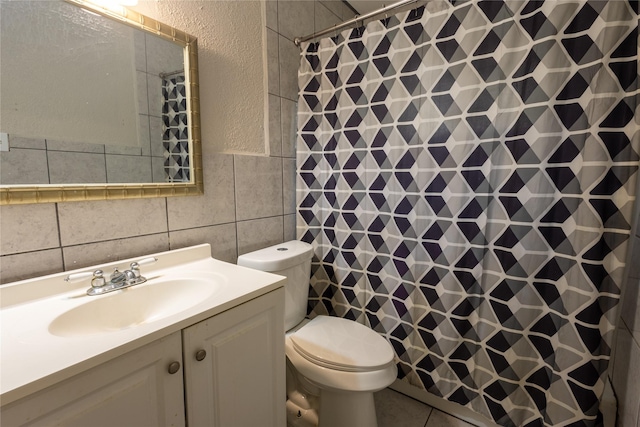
(232, 74)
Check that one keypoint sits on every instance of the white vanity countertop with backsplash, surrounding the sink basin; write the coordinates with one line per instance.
(32, 358)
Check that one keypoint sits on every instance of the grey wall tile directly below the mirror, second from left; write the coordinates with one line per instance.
(98, 221)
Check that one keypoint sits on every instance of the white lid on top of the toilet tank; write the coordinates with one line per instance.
(277, 257)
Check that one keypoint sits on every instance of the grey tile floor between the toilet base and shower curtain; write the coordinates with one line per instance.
(397, 410)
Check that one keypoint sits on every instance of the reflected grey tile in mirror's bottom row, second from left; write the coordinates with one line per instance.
(67, 167)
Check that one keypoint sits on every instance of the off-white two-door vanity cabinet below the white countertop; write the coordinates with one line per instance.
(239, 382)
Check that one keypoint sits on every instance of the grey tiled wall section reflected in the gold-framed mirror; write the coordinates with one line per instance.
(39, 161)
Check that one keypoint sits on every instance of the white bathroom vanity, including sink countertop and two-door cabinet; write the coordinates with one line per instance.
(200, 343)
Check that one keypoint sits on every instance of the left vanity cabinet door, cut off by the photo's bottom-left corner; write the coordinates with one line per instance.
(135, 389)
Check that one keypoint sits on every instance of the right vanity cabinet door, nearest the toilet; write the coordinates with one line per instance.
(240, 382)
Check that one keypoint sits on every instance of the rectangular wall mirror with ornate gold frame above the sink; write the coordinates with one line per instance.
(98, 102)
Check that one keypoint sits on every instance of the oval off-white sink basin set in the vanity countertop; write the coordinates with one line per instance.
(133, 306)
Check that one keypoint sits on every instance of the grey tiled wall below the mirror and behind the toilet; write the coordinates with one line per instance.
(249, 200)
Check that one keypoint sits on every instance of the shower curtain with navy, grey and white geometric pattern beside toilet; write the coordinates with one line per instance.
(466, 176)
